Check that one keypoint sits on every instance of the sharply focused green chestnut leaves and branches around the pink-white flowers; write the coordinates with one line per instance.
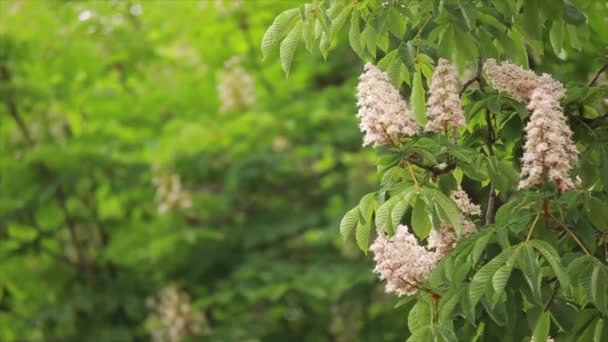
(537, 266)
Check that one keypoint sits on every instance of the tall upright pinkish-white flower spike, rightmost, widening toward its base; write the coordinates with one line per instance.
(549, 150)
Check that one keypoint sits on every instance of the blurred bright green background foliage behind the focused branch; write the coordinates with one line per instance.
(94, 96)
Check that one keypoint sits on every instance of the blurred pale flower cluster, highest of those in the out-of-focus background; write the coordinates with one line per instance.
(236, 87)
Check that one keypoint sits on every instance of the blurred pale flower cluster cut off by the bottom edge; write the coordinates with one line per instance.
(173, 318)
